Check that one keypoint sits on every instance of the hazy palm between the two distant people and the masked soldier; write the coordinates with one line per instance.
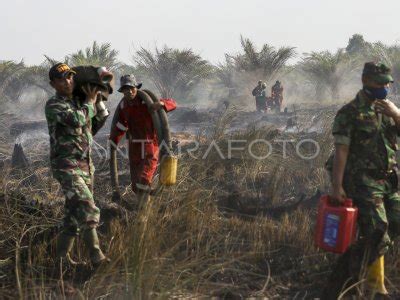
(327, 71)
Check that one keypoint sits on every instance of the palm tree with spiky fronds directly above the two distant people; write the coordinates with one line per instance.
(268, 61)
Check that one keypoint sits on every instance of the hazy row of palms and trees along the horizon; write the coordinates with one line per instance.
(178, 72)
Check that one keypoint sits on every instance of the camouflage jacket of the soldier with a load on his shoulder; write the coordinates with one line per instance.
(71, 126)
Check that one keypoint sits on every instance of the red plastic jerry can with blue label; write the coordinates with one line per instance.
(336, 225)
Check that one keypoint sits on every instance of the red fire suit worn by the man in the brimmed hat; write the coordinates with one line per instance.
(132, 116)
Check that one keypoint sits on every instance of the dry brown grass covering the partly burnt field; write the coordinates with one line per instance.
(192, 240)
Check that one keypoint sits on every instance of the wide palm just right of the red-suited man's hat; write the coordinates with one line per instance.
(174, 72)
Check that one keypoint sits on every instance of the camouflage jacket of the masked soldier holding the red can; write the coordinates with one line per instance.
(371, 137)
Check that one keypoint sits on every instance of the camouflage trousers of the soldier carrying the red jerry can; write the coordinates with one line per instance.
(378, 203)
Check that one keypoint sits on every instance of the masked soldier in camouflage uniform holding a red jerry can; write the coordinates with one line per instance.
(364, 169)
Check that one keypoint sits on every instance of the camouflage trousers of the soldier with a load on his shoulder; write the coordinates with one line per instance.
(80, 209)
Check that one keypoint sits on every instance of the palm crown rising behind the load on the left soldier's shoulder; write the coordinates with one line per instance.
(96, 55)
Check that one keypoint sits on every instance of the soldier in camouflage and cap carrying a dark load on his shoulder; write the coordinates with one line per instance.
(70, 124)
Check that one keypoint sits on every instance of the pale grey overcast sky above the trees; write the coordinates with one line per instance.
(30, 29)
